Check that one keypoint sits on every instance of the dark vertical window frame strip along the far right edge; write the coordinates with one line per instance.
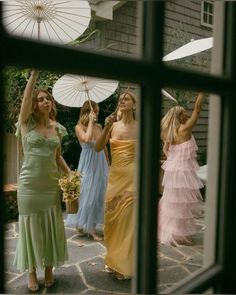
(227, 220)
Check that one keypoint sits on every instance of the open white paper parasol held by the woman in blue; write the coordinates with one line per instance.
(74, 90)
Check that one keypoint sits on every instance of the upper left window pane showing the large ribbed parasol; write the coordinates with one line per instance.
(109, 26)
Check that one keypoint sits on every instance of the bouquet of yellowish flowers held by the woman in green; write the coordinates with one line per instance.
(71, 191)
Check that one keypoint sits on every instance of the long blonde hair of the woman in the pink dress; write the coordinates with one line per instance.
(170, 124)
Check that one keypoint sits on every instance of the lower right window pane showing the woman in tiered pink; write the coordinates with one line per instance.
(187, 214)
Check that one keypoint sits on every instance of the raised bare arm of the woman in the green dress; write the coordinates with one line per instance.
(26, 105)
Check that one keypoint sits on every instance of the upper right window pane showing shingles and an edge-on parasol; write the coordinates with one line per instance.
(187, 43)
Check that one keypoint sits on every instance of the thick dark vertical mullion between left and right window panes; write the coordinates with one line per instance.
(145, 281)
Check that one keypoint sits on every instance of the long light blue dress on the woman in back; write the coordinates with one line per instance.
(94, 170)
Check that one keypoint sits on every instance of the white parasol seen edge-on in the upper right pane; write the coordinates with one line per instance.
(190, 48)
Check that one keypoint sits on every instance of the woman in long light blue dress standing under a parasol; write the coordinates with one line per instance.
(93, 167)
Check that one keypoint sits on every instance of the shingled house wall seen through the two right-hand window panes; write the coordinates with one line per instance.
(183, 23)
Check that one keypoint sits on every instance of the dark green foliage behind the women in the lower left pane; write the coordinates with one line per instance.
(15, 81)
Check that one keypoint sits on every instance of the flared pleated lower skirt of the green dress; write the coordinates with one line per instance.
(42, 241)
